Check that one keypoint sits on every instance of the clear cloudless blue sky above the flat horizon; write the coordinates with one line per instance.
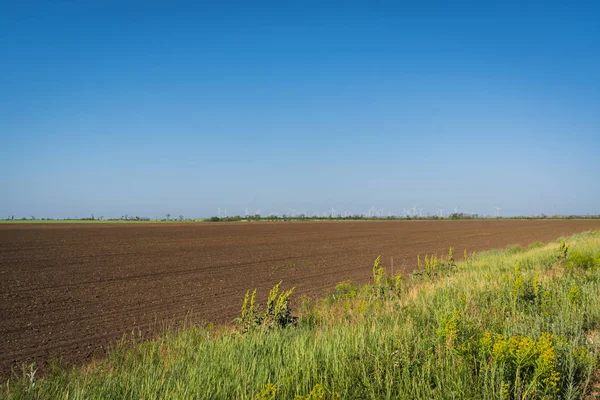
(143, 108)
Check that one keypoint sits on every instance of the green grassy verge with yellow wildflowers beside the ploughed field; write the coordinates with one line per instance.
(506, 324)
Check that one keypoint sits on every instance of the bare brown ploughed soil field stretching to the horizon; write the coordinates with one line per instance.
(68, 291)
